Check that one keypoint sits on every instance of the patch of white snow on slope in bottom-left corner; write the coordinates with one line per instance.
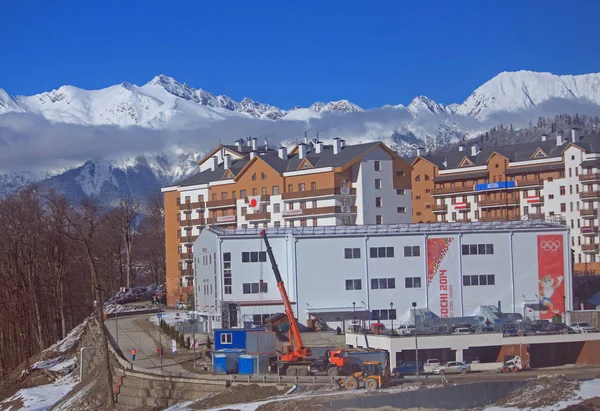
(41, 397)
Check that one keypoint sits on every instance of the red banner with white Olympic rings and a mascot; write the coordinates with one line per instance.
(551, 274)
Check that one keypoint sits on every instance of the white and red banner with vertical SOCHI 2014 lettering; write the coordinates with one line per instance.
(443, 287)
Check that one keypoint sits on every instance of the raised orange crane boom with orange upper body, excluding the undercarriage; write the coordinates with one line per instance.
(296, 350)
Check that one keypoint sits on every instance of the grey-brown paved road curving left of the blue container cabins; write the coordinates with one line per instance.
(138, 332)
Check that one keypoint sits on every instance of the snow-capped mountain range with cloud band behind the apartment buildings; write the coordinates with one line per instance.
(159, 130)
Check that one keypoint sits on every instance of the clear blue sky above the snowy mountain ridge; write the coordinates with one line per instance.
(283, 53)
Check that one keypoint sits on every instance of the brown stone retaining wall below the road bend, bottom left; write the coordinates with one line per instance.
(141, 391)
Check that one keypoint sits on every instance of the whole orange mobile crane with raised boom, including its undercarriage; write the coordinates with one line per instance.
(296, 358)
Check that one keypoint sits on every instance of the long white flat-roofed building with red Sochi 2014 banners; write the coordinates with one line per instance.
(377, 272)
